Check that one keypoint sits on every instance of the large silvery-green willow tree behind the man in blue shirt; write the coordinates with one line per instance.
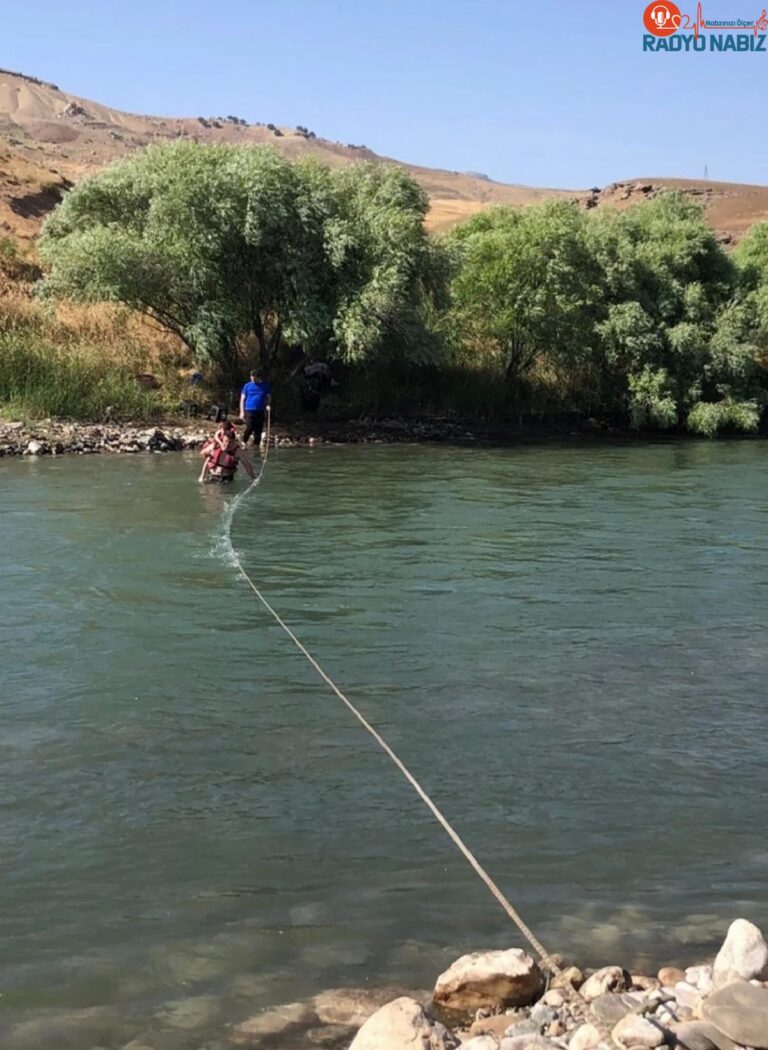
(226, 244)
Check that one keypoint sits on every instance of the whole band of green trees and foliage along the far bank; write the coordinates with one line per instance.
(639, 318)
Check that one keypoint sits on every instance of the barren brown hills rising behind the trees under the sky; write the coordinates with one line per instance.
(49, 139)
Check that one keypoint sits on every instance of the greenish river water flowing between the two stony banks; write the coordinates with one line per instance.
(568, 645)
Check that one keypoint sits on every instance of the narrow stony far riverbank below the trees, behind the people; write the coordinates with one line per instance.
(60, 437)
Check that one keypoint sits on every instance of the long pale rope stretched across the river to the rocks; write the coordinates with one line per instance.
(438, 814)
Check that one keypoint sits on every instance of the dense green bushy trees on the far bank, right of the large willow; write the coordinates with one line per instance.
(639, 314)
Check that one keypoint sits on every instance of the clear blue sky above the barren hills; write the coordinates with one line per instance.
(543, 93)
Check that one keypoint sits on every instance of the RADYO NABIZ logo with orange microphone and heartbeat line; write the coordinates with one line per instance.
(670, 30)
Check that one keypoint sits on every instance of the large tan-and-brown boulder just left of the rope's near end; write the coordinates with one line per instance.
(489, 979)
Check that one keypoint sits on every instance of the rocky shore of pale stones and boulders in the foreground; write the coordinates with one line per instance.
(507, 1001)
